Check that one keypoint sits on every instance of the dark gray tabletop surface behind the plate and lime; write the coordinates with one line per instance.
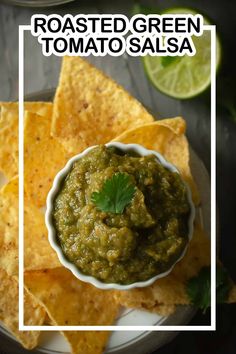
(42, 73)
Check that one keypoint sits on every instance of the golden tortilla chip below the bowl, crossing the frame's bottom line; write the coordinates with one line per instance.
(68, 301)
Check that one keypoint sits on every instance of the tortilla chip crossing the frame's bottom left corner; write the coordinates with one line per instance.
(34, 314)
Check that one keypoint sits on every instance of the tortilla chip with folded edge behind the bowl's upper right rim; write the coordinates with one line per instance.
(167, 137)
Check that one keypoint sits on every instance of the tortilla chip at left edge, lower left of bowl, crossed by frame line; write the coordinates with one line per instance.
(38, 253)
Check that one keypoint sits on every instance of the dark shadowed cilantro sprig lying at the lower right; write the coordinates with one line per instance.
(199, 287)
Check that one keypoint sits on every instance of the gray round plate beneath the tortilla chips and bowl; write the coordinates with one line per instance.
(140, 342)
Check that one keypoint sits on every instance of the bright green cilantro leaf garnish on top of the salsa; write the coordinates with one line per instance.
(116, 193)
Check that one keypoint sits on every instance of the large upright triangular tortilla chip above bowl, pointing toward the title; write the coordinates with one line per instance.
(90, 108)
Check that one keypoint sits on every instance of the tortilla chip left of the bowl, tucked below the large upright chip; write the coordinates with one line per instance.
(44, 157)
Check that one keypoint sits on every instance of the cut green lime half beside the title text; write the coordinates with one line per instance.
(183, 77)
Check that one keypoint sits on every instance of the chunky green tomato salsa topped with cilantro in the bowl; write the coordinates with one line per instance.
(129, 245)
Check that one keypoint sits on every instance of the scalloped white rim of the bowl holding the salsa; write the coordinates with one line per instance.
(52, 232)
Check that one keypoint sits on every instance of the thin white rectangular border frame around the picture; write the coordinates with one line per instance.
(212, 326)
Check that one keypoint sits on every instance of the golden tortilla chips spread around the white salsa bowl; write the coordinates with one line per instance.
(89, 108)
